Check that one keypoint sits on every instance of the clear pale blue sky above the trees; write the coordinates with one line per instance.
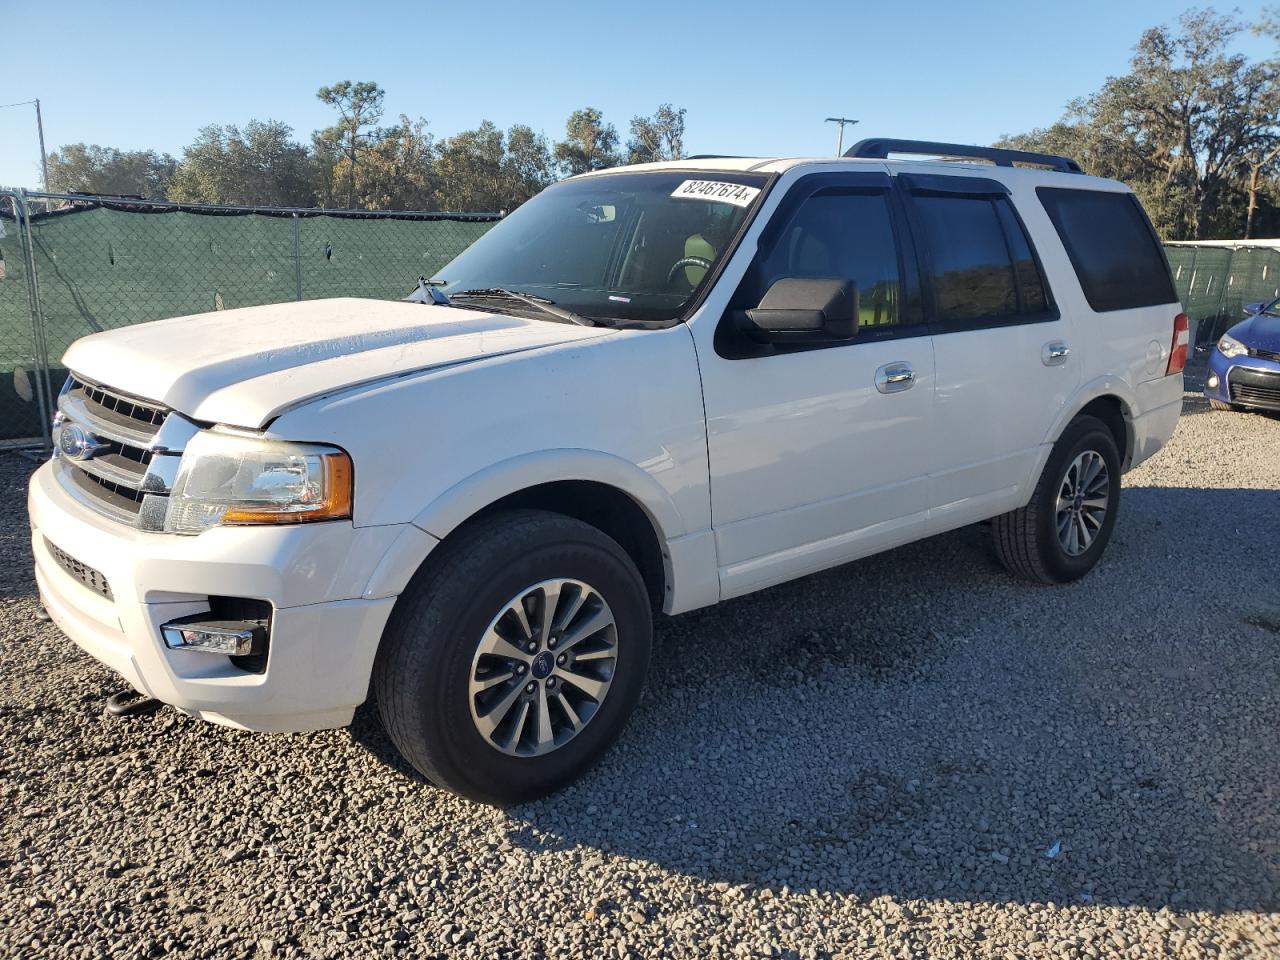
(757, 79)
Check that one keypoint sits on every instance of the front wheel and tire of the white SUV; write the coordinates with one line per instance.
(516, 657)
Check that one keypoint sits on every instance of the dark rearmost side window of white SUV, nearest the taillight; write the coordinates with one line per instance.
(1112, 246)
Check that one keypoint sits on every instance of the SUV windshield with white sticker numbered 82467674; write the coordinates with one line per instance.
(628, 246)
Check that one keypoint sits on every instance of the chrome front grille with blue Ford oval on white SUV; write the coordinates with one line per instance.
(122, 473)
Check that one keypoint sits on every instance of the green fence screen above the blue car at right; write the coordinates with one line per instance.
(1215, 282)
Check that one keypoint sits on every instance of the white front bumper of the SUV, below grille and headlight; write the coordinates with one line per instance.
(326, 625)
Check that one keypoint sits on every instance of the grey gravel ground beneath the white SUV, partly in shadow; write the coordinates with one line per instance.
(871, 762)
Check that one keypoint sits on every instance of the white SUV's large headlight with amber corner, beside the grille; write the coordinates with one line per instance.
(228, 479)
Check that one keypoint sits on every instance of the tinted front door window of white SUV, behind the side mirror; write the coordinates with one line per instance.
(844, 235)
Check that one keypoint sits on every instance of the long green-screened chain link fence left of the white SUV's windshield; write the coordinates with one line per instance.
(74, 266)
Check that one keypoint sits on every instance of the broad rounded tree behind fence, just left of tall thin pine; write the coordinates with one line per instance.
(260, 164)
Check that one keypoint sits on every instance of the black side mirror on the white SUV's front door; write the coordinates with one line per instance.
(806, 310)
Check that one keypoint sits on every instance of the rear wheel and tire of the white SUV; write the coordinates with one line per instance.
(1063, 532)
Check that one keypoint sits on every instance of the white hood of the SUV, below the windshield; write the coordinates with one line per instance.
(245, 367)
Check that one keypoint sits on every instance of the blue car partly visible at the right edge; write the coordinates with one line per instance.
(1245, 365)
